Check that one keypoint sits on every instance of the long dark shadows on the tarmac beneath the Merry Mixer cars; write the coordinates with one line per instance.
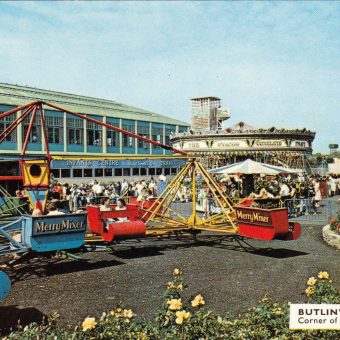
(49, 266)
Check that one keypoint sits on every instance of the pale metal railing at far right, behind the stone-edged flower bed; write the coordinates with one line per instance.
(311, 210)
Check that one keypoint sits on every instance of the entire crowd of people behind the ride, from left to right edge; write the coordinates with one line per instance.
(300, 193)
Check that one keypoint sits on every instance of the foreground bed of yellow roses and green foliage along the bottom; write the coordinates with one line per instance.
(179, 319)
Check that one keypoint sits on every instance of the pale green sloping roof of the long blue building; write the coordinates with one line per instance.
(17, 95)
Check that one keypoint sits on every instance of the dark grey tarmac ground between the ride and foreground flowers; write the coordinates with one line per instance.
(231, 278)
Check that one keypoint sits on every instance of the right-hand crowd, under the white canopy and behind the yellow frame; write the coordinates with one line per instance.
(300, 193)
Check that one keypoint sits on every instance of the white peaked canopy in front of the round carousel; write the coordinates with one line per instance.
(251, 167)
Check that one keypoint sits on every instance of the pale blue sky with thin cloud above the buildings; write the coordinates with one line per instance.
(271, 63)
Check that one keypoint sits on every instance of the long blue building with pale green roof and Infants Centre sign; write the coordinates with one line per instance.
(82, 149)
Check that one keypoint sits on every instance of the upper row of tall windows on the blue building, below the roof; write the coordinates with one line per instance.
(75, 132)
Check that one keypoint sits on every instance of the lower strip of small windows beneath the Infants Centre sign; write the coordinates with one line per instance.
(109, 172)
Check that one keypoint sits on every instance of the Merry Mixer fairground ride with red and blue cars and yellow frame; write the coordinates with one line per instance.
(47, 233)
